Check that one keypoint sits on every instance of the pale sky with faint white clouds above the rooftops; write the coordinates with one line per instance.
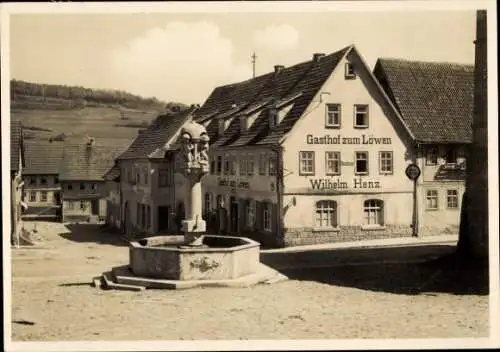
(184, 56)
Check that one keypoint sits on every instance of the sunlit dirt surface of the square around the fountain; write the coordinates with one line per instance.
(52, 299)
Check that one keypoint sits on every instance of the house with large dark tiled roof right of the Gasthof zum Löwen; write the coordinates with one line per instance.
(435, 100)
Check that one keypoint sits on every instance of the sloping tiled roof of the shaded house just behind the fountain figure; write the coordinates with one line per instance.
(158, 133)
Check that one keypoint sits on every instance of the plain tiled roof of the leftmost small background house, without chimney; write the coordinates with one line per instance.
(42, 157)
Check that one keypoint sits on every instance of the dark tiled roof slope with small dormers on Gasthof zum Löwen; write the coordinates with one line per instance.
(304, 79)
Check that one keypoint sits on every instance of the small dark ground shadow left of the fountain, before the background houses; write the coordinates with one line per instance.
(93, 233)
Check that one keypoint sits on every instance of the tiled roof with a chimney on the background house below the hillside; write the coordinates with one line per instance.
(87, 163)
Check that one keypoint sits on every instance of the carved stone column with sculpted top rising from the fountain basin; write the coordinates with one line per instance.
(194, 141)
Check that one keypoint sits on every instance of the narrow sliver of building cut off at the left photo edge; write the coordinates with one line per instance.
(17, 163)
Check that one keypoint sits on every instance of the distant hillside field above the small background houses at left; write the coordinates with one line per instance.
(108, 125)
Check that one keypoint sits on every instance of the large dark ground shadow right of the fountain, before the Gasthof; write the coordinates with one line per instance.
(405, 270)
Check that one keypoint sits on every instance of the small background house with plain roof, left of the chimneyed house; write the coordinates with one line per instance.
(42, 189)
